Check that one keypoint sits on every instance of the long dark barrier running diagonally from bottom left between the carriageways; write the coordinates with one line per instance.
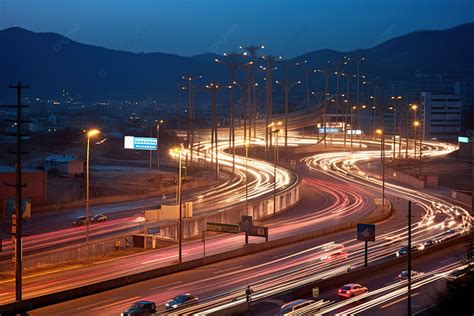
(58, 297)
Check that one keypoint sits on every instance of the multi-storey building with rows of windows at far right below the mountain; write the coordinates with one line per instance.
(441, 115)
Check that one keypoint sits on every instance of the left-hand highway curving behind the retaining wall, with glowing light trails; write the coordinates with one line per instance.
(49, 232)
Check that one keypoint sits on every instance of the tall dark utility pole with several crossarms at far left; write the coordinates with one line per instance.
(17, 217)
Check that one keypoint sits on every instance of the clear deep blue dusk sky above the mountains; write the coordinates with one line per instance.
(189, 27)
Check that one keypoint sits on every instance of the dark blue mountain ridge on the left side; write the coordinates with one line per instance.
(51, 62)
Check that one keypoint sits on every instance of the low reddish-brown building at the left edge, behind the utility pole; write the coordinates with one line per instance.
(35, 189)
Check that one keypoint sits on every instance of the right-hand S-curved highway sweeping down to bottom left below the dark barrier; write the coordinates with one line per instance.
(296, 266)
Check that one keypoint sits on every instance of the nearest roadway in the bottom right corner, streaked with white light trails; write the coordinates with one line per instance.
(387, 293)
